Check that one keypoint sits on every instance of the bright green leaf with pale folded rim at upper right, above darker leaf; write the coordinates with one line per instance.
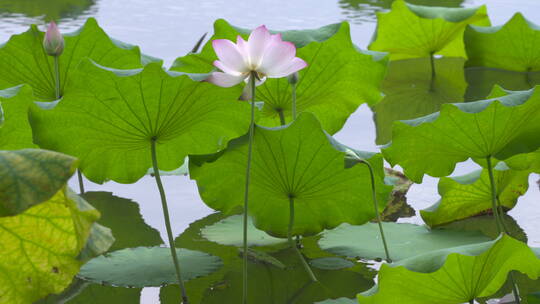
(411, 31)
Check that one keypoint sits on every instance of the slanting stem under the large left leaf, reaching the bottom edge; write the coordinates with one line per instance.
(167, 221)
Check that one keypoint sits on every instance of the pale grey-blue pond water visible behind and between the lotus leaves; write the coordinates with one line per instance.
(169, 28)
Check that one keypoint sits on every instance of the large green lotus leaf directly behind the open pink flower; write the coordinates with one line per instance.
(338, 79)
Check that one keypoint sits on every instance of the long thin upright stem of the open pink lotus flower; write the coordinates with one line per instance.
(246, 191)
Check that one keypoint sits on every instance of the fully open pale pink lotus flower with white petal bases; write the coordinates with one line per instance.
(267, 55)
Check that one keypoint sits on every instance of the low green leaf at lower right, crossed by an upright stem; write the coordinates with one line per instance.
(470, 194)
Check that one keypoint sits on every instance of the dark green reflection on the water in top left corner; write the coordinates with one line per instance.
(49, 10)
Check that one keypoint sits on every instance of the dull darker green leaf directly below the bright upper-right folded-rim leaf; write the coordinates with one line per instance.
(410, 92)
